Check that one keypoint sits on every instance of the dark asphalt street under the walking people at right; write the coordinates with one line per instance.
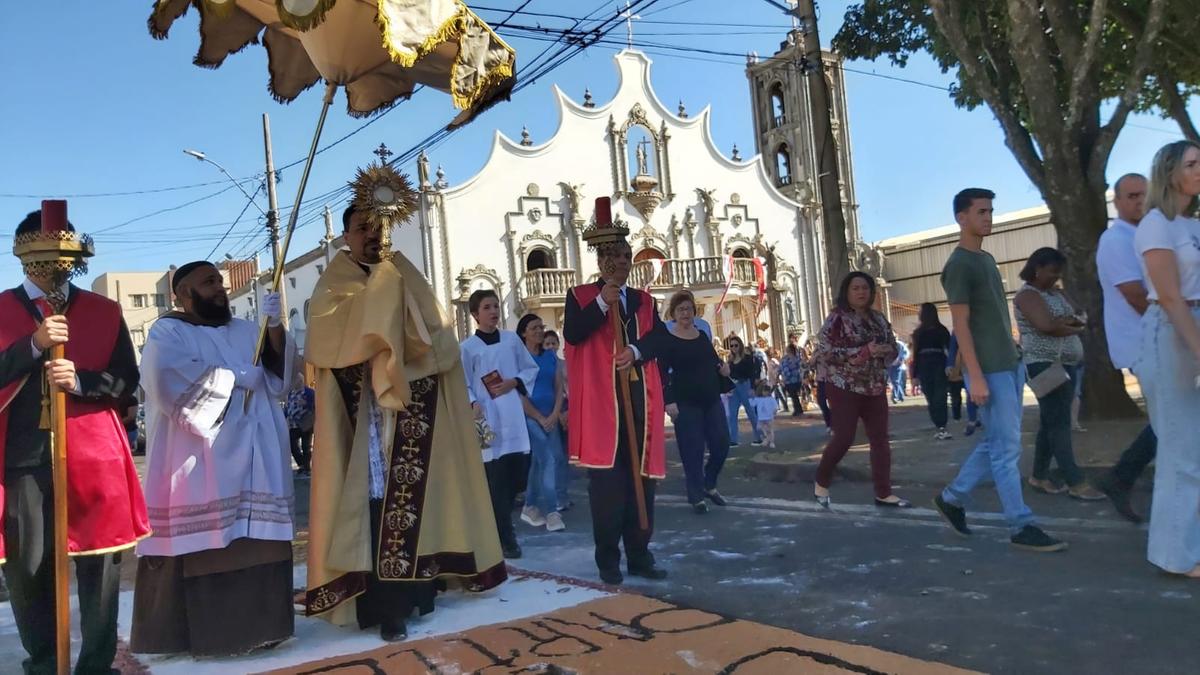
(902, 581)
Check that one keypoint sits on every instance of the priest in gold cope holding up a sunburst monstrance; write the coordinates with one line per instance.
(400, 504)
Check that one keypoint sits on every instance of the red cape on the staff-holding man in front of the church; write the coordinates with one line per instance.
(592, 390)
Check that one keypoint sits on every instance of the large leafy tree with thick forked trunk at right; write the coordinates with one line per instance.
(1061, 77)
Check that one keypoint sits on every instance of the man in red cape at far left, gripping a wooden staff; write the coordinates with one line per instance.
(106, 511)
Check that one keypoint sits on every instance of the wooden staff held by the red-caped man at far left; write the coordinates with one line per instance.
(59, 480)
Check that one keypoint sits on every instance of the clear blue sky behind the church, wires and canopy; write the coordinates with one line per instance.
(95, 106)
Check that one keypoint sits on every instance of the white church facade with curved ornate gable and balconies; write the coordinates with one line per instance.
(724, 228)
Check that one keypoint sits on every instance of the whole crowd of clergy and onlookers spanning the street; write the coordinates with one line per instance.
(393, 522)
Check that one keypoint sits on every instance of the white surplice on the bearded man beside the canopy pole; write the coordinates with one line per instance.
(217, 470)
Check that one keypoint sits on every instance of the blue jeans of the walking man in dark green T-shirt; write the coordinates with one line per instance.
(998, 453)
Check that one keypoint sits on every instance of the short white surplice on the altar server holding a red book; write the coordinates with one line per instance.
(505, 415)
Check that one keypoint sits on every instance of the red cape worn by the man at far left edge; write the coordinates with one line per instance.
(106, 510)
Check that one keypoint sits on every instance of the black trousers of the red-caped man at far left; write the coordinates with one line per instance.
(29, 571)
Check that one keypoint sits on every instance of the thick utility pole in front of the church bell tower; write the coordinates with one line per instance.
(833, 217)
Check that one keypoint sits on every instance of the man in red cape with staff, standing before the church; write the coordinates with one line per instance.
(599, 439)
